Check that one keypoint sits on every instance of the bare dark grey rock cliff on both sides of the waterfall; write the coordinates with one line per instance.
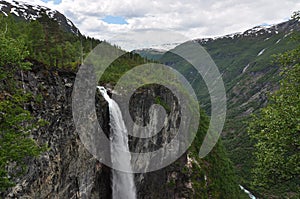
(67, 169)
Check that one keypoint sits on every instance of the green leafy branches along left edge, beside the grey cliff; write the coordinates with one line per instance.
(16, 123)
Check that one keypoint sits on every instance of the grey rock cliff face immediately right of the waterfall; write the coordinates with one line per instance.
(169, 182)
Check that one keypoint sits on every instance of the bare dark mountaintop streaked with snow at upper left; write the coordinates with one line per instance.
(30, 12)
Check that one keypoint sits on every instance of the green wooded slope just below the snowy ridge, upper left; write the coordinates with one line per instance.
(47, 42)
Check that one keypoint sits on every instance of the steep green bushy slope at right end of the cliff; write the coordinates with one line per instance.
(212, 176)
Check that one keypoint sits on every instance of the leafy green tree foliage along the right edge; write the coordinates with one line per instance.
(276, 130)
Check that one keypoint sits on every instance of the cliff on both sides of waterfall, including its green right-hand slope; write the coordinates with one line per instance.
(68, 170)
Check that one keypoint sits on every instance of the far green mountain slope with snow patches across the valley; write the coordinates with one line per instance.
(249, 73)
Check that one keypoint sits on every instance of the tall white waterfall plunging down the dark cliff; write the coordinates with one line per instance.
(123, 186)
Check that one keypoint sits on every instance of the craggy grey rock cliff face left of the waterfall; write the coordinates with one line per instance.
(66, 170)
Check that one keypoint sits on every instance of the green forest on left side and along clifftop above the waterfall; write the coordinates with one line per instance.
(23, 44)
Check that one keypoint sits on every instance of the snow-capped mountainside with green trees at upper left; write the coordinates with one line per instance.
(49, 36)
